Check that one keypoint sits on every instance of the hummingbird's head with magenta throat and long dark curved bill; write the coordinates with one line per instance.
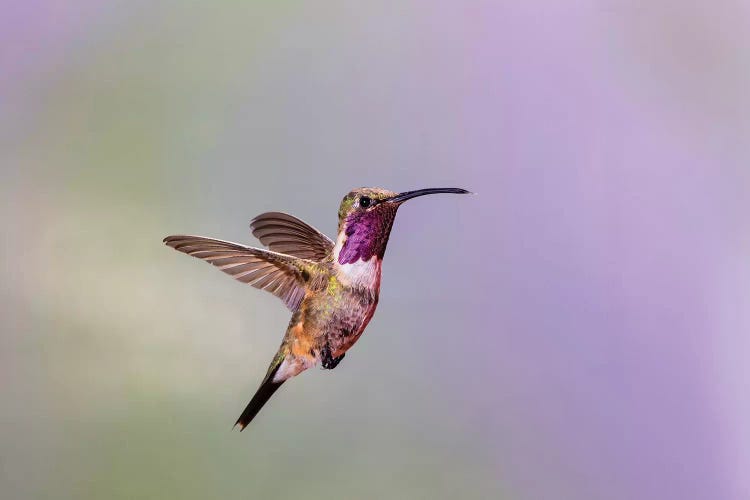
(366, 217)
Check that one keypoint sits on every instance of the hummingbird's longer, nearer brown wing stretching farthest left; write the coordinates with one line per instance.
(282, 275)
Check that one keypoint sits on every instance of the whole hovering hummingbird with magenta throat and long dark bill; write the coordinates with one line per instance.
(331, 287)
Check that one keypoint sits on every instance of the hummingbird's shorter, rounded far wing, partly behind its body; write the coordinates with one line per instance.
(287, 234)
